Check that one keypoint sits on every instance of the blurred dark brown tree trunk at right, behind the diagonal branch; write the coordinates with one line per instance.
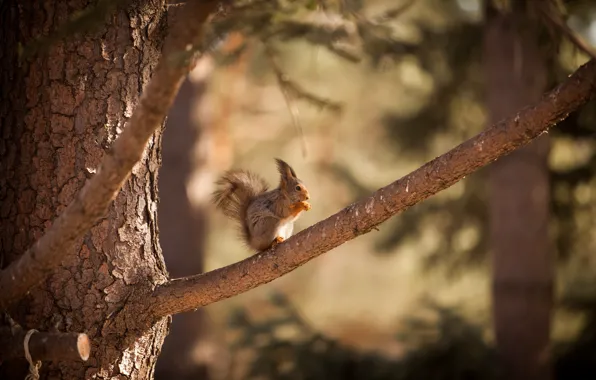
(519, 203)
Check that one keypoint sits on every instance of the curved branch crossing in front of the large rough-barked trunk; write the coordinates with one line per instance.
(90, 204)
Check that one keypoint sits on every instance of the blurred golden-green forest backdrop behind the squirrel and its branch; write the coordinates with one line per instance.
(411, 300)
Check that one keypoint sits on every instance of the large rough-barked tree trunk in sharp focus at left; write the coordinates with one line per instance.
(60, 112)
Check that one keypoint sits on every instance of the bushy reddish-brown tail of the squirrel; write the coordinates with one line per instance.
(235, 190)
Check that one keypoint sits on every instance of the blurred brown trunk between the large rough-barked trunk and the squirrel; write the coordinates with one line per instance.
(183, 227)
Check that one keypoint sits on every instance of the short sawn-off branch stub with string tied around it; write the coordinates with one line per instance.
(53, 346)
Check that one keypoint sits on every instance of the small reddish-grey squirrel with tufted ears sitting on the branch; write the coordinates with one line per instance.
(265, 217)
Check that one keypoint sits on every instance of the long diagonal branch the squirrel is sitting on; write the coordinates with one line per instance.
(185, 294)
